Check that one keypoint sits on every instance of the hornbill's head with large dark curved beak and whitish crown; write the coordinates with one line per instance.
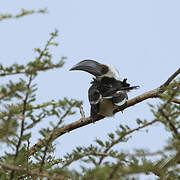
(96, 69)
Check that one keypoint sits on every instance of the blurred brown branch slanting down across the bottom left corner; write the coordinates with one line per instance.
(30, 173)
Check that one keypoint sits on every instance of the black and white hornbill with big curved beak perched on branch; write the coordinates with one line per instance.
(107, 91)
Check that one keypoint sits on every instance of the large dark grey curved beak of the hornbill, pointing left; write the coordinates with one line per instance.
(91, 67)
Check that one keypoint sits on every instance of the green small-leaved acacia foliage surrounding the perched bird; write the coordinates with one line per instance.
(20, 113)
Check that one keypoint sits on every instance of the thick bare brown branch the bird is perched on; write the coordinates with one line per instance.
(81, 122)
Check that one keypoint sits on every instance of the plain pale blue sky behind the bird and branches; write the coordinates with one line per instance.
(141, 38)
